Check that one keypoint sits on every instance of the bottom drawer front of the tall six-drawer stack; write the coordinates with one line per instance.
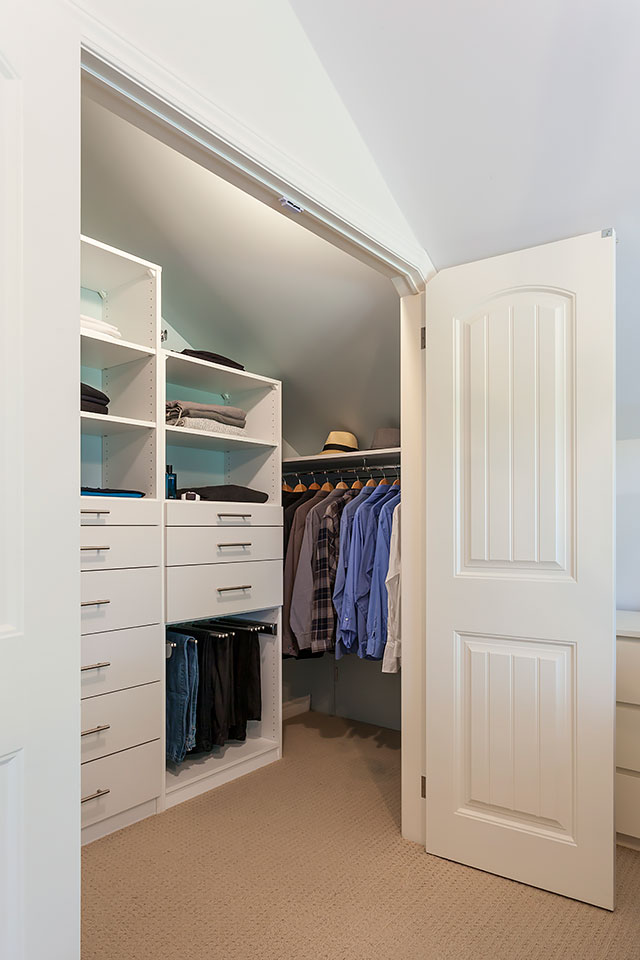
(131, 777)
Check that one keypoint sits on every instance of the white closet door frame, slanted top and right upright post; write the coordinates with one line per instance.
(122, 88)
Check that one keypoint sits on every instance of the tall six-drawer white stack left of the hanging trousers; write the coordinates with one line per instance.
(122, 656)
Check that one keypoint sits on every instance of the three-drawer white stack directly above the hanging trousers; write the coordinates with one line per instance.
(222, 559)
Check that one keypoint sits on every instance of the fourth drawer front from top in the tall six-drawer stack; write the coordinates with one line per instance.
(123, 658)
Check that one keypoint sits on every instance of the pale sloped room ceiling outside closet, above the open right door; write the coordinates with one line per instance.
(500, 125)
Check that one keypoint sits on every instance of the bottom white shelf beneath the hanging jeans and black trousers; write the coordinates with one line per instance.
(215, 765)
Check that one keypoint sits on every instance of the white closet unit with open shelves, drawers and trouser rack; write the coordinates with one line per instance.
(128, 448)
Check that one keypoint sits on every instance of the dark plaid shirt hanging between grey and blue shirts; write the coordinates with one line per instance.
(325, 566)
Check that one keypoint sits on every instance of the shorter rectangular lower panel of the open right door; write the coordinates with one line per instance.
(515, 740)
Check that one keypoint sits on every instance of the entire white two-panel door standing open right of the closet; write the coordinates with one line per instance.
(520, 566)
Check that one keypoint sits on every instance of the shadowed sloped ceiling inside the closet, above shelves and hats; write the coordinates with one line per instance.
(242, 280)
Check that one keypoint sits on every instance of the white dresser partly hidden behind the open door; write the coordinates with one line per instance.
(628, 724)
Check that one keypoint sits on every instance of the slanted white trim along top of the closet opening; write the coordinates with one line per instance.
(215, 147)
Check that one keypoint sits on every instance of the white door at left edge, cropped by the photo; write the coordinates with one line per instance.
(39, 480)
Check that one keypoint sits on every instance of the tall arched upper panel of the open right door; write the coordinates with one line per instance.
(514, 396)
